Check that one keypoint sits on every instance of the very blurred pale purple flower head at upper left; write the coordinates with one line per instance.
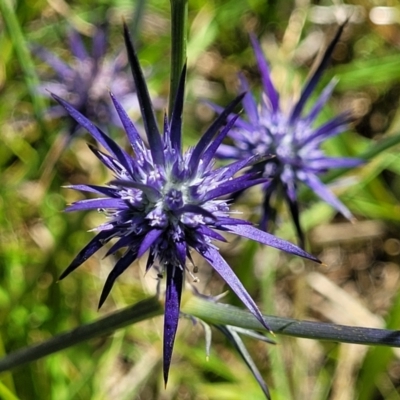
(87, 81)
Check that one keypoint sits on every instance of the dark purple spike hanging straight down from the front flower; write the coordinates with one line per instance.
(171, 315)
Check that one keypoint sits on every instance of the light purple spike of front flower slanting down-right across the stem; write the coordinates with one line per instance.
(224, 270)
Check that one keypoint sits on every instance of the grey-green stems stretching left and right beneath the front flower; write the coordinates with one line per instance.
(209, 312)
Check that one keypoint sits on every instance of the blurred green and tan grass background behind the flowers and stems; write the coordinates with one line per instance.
(359, 285)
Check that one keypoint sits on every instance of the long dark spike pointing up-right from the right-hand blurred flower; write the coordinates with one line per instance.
(313, 81)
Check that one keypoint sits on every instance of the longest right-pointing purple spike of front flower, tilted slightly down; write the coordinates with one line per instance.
(251, 232)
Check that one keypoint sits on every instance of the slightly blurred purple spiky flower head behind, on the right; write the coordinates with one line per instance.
(293, 138)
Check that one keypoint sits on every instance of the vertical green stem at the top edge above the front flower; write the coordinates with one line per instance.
(179, 12)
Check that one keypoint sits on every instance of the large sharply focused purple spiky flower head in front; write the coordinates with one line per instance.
(167, 202)
